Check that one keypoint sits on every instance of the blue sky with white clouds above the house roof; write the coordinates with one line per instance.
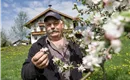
(9, 9)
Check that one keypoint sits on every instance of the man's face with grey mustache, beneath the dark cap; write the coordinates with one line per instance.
(54, 27)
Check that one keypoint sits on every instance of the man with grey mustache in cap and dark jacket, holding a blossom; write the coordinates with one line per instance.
(40, 66)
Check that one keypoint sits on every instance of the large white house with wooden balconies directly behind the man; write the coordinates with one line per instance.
(37, 25)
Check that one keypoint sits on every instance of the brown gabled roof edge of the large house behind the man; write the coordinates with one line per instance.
(43, 13)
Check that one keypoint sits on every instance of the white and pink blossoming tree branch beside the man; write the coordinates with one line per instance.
(101, 24)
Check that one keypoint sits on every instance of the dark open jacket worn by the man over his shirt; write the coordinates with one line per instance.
(30, 72)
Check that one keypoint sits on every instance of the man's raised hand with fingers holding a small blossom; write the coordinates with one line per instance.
(40, 59)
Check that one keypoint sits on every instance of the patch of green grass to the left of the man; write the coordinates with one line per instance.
(11, 60)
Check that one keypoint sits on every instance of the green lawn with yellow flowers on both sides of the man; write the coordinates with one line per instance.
(118, 68)
